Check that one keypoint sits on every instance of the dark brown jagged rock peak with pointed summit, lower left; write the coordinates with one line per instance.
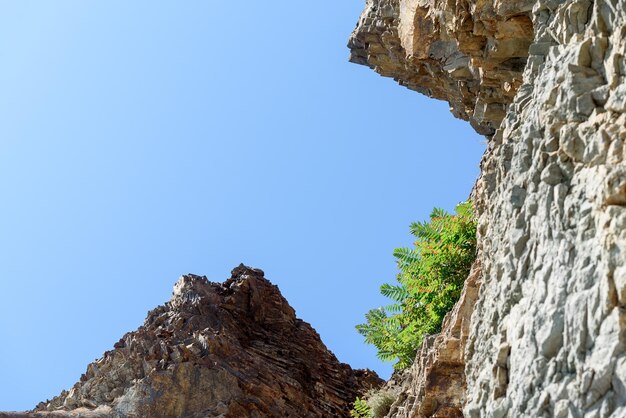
(216, 350)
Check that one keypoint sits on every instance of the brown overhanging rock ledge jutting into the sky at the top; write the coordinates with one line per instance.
(468, 52)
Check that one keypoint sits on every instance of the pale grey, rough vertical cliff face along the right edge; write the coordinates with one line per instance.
(549, 331)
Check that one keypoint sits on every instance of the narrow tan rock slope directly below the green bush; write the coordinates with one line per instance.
(435, 385)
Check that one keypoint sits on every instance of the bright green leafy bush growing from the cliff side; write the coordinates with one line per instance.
(431, 277)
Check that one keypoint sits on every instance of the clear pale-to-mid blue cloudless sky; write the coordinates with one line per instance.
(142, 140)
